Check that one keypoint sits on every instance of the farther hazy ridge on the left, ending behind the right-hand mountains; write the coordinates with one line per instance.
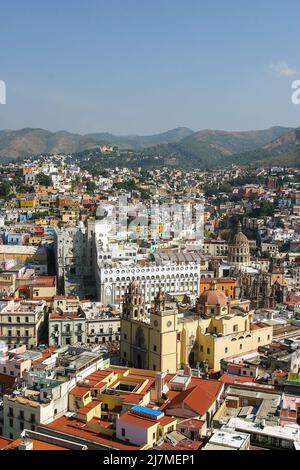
(29, 142)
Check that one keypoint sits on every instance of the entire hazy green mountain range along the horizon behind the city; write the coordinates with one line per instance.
(181, 146)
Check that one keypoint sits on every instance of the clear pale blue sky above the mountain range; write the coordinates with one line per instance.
(143, 67)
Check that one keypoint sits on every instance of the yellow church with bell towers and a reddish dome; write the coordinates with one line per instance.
(175, 335)
